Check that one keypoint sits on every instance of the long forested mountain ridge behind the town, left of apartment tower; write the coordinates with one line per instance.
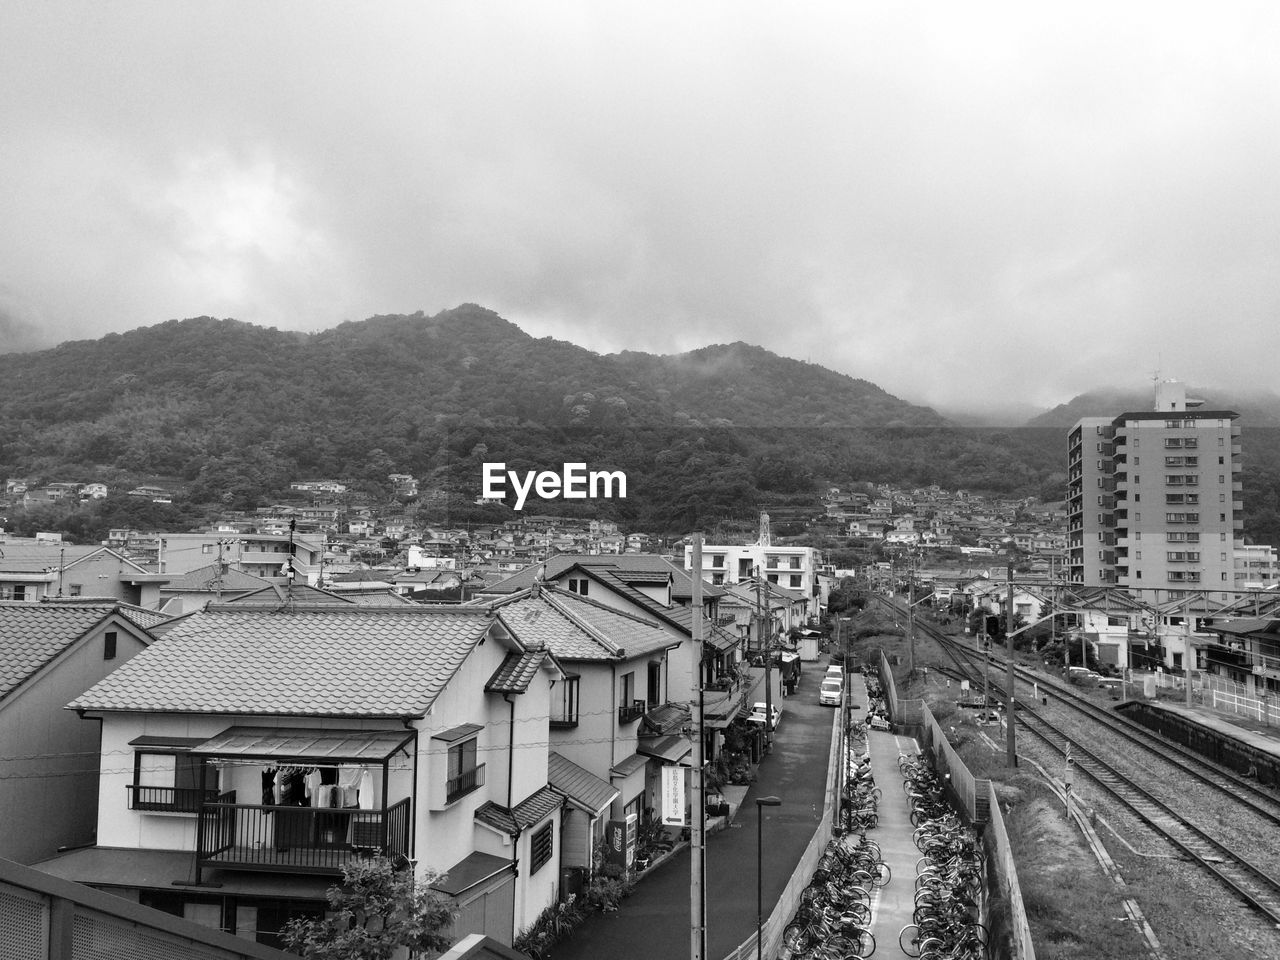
(231, 413)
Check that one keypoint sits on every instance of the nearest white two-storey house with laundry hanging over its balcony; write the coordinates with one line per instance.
(257, 748)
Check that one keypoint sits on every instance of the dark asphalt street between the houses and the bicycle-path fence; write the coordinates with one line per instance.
(655, 922)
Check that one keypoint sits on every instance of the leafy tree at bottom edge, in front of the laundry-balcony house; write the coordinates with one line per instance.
(377, 912)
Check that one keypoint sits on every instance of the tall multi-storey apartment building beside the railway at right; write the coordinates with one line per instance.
(1154, 500)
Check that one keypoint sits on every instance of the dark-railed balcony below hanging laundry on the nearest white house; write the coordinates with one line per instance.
(296, 839)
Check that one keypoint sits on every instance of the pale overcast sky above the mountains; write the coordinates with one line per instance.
(967, 204)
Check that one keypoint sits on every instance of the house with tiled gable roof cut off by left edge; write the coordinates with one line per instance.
(49, 761)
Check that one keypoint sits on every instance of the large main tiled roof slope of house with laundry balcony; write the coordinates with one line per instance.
(340, 661)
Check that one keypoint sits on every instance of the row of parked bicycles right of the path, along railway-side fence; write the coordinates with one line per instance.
(949, 876)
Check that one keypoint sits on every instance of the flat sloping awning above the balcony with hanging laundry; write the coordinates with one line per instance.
(304, 744)
